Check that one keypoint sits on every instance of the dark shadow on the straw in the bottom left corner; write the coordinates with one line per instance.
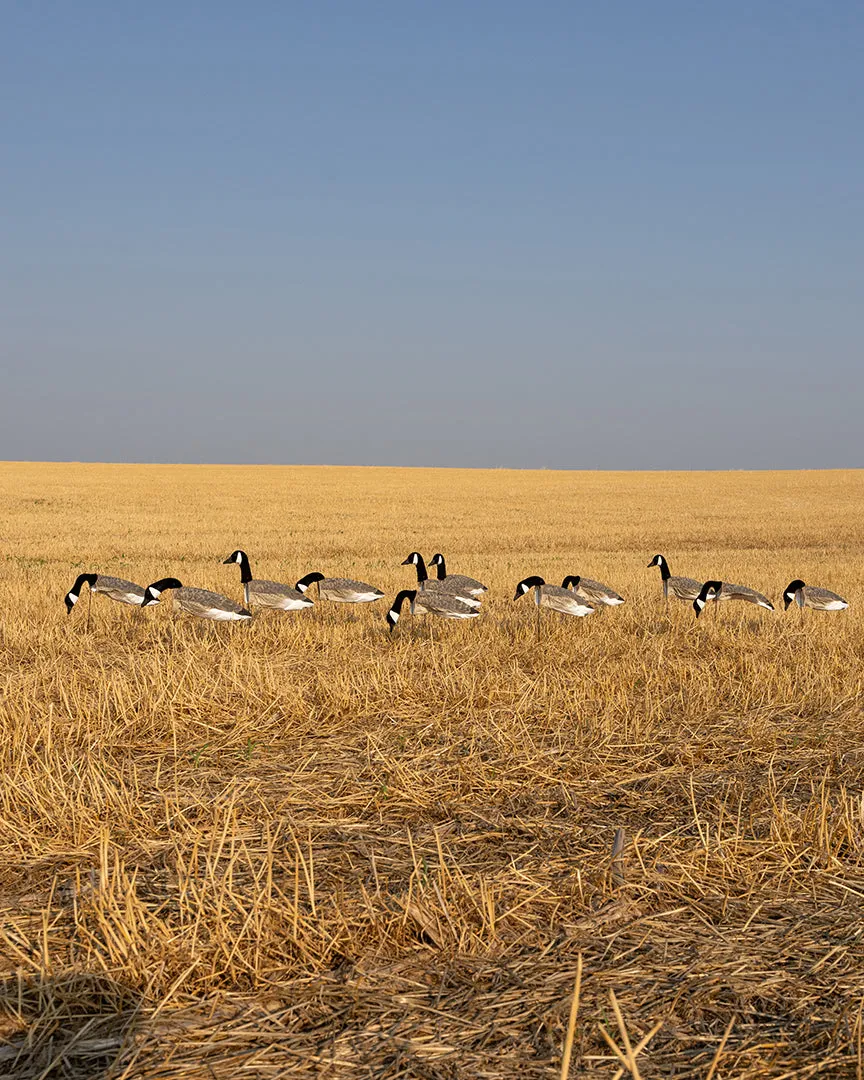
(75, 1028)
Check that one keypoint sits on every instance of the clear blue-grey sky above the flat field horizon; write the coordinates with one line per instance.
(549, 235)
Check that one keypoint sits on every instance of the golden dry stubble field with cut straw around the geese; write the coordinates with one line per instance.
(300, 848)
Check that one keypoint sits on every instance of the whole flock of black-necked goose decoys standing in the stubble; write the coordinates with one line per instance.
(447, 597)
